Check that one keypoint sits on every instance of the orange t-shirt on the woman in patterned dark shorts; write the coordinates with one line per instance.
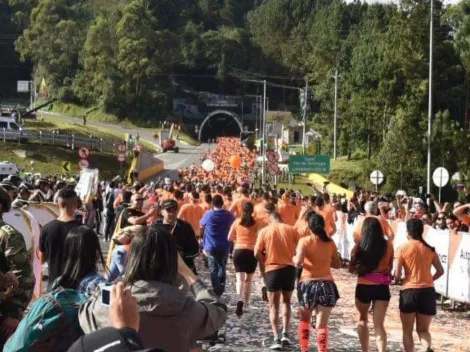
(318, 258)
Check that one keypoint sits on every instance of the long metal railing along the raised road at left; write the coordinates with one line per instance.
(71, 141)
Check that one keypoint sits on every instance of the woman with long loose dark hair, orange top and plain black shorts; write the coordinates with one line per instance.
(372, 261)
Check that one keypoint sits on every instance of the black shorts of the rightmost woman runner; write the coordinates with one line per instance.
(418, 300)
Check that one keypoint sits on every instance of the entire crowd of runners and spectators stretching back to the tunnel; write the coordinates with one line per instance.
(147, 292)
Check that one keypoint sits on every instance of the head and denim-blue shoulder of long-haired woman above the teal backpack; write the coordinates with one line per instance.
(82, 253)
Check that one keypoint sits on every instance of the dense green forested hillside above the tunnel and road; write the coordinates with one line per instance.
(118, 55)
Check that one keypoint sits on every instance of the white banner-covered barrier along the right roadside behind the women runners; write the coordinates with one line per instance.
(453, 250)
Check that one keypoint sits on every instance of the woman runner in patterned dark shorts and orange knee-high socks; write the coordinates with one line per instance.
(317, 290)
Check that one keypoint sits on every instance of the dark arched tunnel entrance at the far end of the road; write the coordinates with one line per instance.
(219, 124)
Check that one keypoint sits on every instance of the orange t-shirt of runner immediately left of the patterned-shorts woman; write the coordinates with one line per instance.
(279, 241)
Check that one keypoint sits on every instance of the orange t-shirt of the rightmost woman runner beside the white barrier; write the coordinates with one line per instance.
(417, 261)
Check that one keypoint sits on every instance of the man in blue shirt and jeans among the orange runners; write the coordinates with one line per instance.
(216, 225)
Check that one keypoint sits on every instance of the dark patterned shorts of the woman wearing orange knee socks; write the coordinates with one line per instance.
(317, 292)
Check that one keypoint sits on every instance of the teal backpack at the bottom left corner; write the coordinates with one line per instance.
(50, 325)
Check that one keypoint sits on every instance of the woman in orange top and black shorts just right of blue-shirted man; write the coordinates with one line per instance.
(243, 234)
